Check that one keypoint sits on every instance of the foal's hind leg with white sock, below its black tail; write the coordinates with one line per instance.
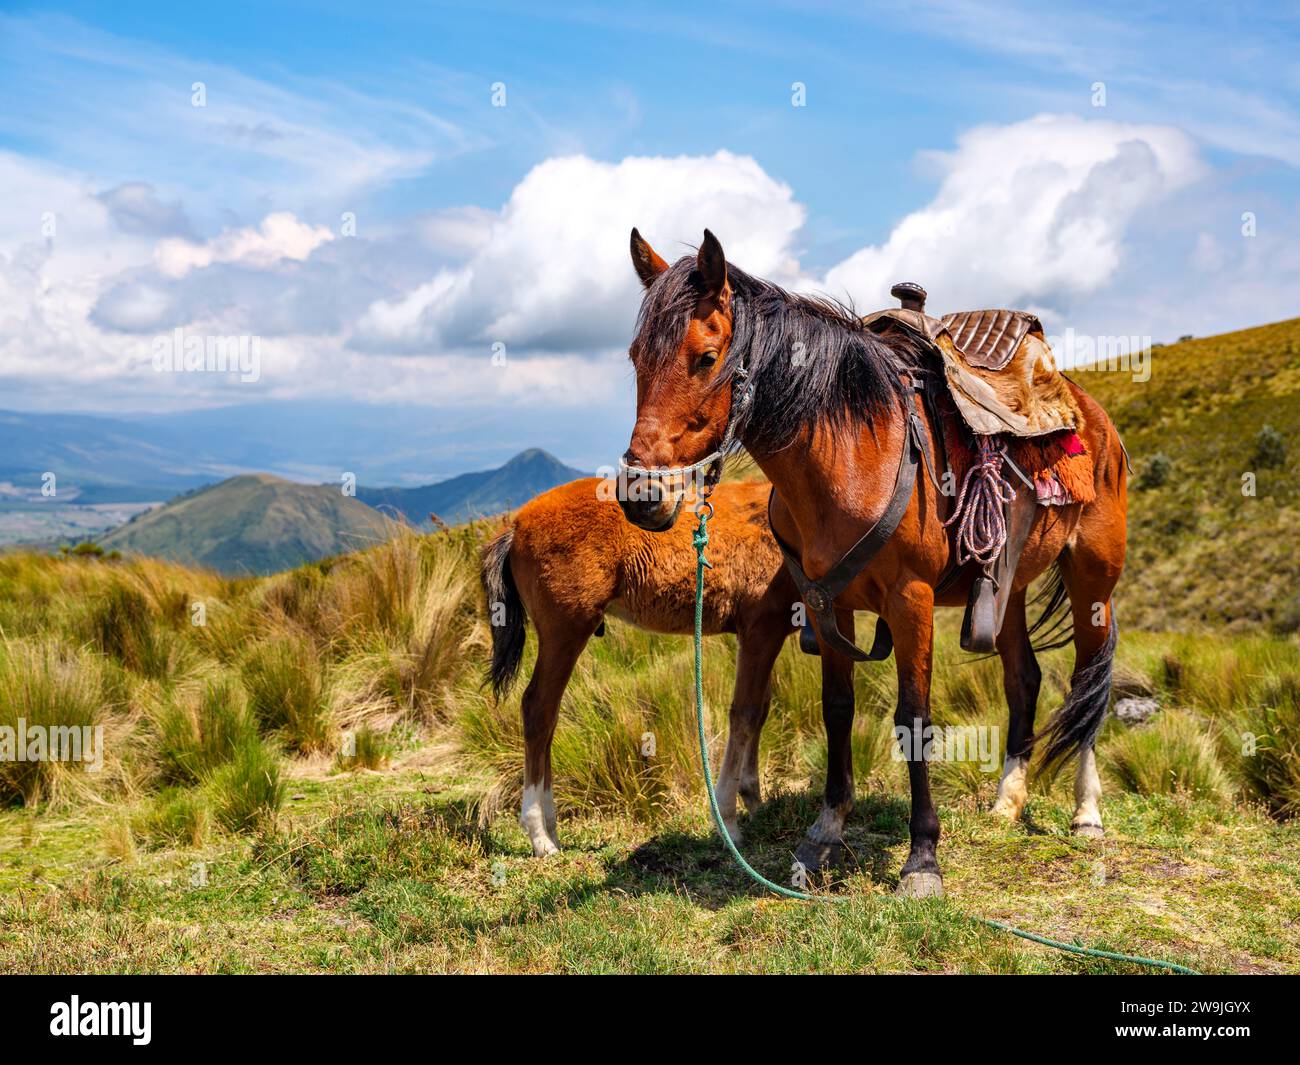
(557, 655)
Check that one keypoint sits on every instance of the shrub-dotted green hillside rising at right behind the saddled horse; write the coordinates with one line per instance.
(1202, 551)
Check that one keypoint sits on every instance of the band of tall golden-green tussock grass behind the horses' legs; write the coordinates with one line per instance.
(389, 643)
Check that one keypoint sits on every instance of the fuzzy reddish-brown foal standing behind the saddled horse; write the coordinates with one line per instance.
(569, 559)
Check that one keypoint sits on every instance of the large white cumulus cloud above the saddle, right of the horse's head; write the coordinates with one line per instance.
(1028, 215)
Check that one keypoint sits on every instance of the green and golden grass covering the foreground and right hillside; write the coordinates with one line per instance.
(304, 773)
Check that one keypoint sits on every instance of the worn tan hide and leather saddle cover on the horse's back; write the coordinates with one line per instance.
(999, 369)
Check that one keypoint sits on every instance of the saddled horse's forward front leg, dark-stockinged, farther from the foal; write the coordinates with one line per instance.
(912, 621)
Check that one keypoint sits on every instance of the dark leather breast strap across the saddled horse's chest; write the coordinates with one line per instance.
(821, 595)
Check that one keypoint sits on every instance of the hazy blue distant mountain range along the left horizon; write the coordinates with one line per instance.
(151, 457)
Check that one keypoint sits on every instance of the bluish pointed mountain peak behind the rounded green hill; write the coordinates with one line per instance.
(475, 495)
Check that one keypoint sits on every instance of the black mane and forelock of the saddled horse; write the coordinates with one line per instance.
(846, 376)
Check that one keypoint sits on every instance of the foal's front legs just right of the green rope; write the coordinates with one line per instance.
(759, 650)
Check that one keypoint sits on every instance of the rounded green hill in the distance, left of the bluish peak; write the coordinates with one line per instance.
(253, 525)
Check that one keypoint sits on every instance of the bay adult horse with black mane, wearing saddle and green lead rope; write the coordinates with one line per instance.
(826, 418)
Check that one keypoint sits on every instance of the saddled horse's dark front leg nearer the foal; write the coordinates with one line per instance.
(821, 846)
